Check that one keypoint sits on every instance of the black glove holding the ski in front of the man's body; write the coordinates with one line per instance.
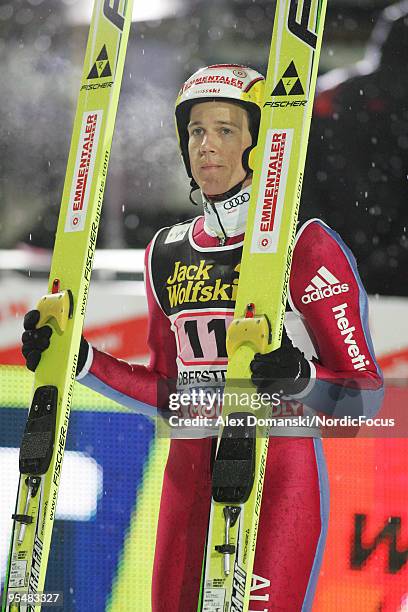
(284, 370)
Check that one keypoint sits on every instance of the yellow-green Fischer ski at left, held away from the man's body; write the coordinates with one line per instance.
(42, 448)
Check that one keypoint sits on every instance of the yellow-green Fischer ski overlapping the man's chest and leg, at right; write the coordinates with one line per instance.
(278, 164)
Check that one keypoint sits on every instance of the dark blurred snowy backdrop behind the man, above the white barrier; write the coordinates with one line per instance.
(356, 172)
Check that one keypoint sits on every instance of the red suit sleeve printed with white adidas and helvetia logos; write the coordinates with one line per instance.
(327, 293)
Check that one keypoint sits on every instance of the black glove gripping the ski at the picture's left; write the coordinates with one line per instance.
(35, 341)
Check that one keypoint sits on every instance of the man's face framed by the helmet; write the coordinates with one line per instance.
(218, 135)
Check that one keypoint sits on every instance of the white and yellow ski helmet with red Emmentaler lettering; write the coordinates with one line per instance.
(231, 82)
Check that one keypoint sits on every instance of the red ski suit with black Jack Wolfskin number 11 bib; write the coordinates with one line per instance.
(191, 285)
